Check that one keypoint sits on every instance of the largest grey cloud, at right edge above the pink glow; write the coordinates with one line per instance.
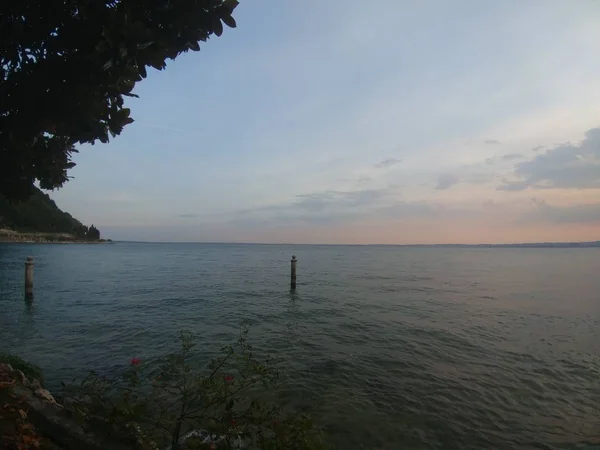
(563, 166)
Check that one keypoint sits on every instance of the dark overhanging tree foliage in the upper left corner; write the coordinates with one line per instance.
(66, 65)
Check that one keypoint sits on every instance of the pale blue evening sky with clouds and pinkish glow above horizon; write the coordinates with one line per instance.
(347, 122)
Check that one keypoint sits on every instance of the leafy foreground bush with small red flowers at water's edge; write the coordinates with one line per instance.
(169, 405)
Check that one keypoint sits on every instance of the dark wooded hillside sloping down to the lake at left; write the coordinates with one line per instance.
(39, 214)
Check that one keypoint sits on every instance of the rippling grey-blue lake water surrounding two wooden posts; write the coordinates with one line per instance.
(390, 347)
